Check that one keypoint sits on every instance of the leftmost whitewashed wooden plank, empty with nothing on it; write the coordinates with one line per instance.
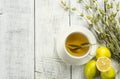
(17, 39)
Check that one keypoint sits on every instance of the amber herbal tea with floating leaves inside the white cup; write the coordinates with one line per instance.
(76, 44)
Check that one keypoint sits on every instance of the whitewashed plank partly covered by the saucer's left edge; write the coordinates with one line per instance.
(51, 18)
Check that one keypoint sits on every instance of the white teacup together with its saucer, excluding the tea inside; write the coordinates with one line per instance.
(66, 56)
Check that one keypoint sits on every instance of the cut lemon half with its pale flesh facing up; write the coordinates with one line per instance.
(103, 64)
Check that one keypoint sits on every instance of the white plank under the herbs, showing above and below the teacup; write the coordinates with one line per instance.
(76, 21)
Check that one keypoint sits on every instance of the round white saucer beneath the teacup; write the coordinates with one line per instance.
(61, 50)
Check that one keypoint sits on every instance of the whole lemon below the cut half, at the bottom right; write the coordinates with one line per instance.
(111, 74)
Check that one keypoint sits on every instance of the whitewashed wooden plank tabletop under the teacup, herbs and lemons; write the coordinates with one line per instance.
(28, 30)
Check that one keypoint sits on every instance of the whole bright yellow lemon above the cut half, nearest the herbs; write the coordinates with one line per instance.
(103, 51)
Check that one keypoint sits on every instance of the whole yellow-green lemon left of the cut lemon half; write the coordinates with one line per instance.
(90, 69)
